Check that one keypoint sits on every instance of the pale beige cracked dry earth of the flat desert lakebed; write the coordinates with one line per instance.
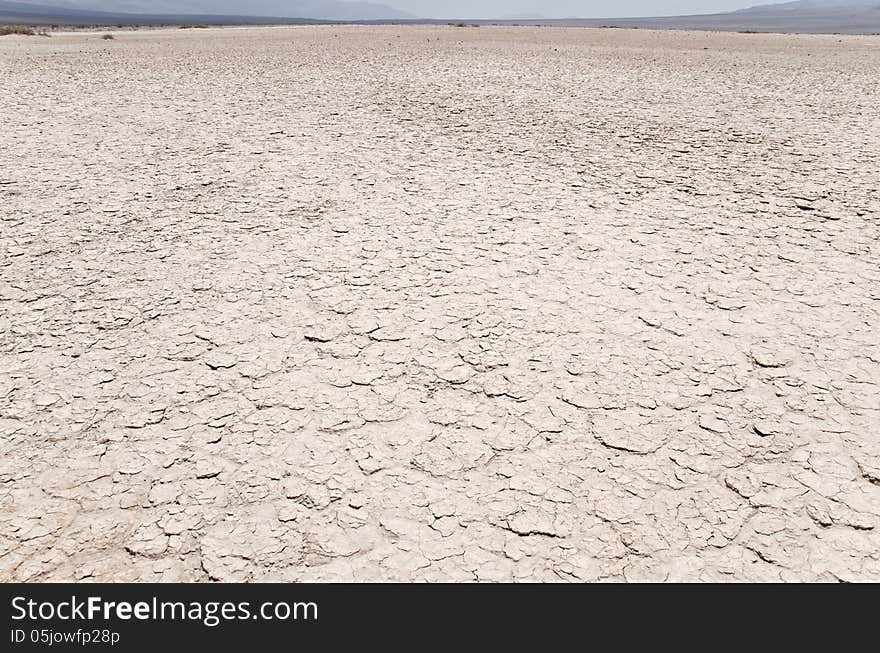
(427, 303)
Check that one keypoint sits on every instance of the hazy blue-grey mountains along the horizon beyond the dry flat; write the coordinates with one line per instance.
(818, 16)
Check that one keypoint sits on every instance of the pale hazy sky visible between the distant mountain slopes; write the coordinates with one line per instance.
(564, 8)
